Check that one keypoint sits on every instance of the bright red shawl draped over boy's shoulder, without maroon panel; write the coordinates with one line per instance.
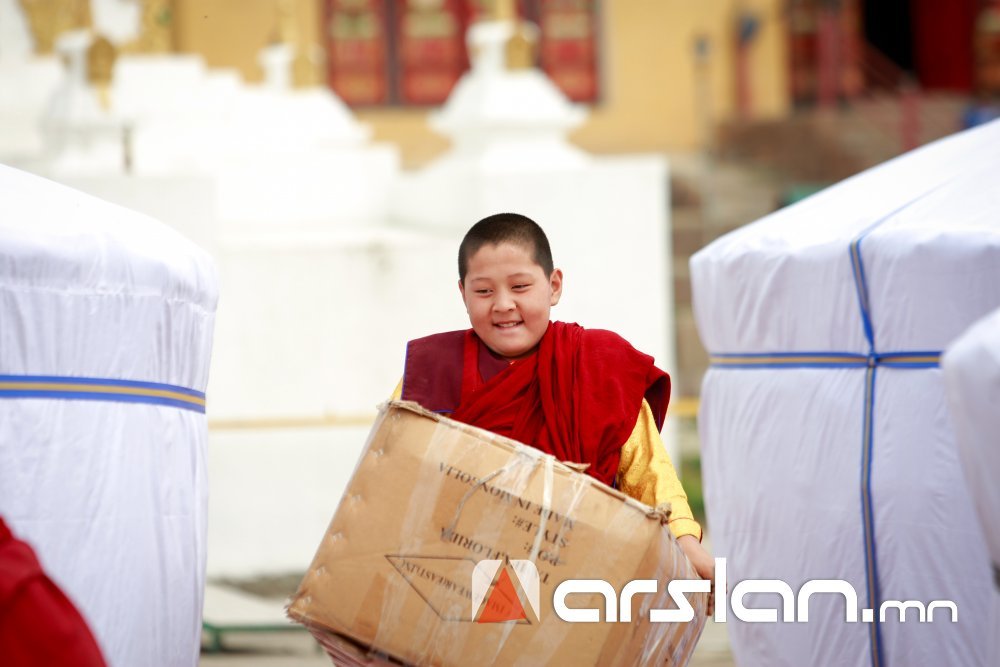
(577, 397)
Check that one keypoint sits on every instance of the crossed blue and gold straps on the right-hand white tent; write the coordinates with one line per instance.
(921, 359)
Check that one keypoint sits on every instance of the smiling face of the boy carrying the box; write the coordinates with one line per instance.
(508, 297)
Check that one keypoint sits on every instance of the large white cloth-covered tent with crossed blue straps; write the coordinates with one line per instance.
(822, 457)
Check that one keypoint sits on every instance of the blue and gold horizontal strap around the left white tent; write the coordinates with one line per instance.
(100, 389)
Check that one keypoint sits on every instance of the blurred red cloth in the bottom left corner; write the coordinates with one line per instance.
(38, 624)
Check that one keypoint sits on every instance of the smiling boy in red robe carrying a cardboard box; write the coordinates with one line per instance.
(582, 395)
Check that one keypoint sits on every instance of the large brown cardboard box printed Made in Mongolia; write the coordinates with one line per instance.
(431, 499)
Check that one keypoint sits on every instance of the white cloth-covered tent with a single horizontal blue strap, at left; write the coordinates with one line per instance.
(105, 477)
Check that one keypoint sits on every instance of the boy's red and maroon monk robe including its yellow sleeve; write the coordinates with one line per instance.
(585, 396)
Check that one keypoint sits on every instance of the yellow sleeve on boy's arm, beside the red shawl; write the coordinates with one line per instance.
(646, 474)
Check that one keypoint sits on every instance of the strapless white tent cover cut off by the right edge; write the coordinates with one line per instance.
(971, 367)
